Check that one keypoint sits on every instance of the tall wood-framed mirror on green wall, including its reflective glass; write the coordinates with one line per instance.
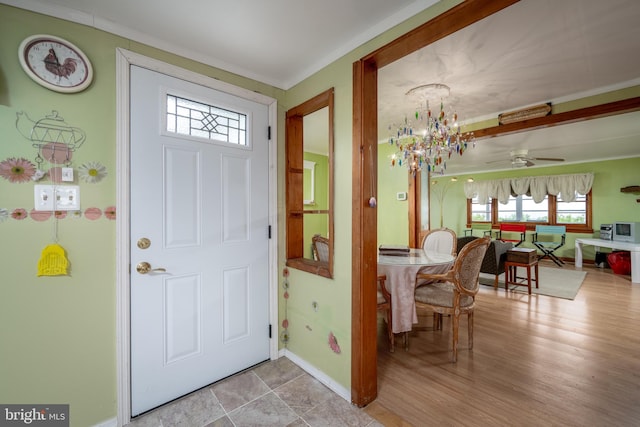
(309, 185)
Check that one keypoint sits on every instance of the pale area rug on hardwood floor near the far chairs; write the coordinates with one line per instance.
(554, 282)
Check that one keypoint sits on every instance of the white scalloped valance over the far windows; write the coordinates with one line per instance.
(563, 186)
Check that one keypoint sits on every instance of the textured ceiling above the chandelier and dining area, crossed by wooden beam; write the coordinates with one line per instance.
(530, 53)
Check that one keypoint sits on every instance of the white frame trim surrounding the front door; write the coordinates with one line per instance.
(124, 60)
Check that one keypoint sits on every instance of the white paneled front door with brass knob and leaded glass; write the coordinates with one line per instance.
(199, 218)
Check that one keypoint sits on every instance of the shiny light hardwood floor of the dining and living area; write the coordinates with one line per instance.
(536, 361)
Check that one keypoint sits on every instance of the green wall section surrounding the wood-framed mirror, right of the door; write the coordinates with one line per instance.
(310, 324)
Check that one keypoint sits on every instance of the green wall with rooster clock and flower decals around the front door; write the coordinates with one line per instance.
(58, 333)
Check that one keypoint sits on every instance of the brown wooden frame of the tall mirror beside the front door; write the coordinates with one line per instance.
(294, 184)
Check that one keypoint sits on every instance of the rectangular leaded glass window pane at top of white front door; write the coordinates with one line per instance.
(192, 118)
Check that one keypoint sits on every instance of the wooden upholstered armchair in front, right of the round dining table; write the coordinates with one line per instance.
(453, 293)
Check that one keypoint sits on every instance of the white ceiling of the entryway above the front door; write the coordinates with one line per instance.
(278, 42)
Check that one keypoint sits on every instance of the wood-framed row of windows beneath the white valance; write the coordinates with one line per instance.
(575, 215)
